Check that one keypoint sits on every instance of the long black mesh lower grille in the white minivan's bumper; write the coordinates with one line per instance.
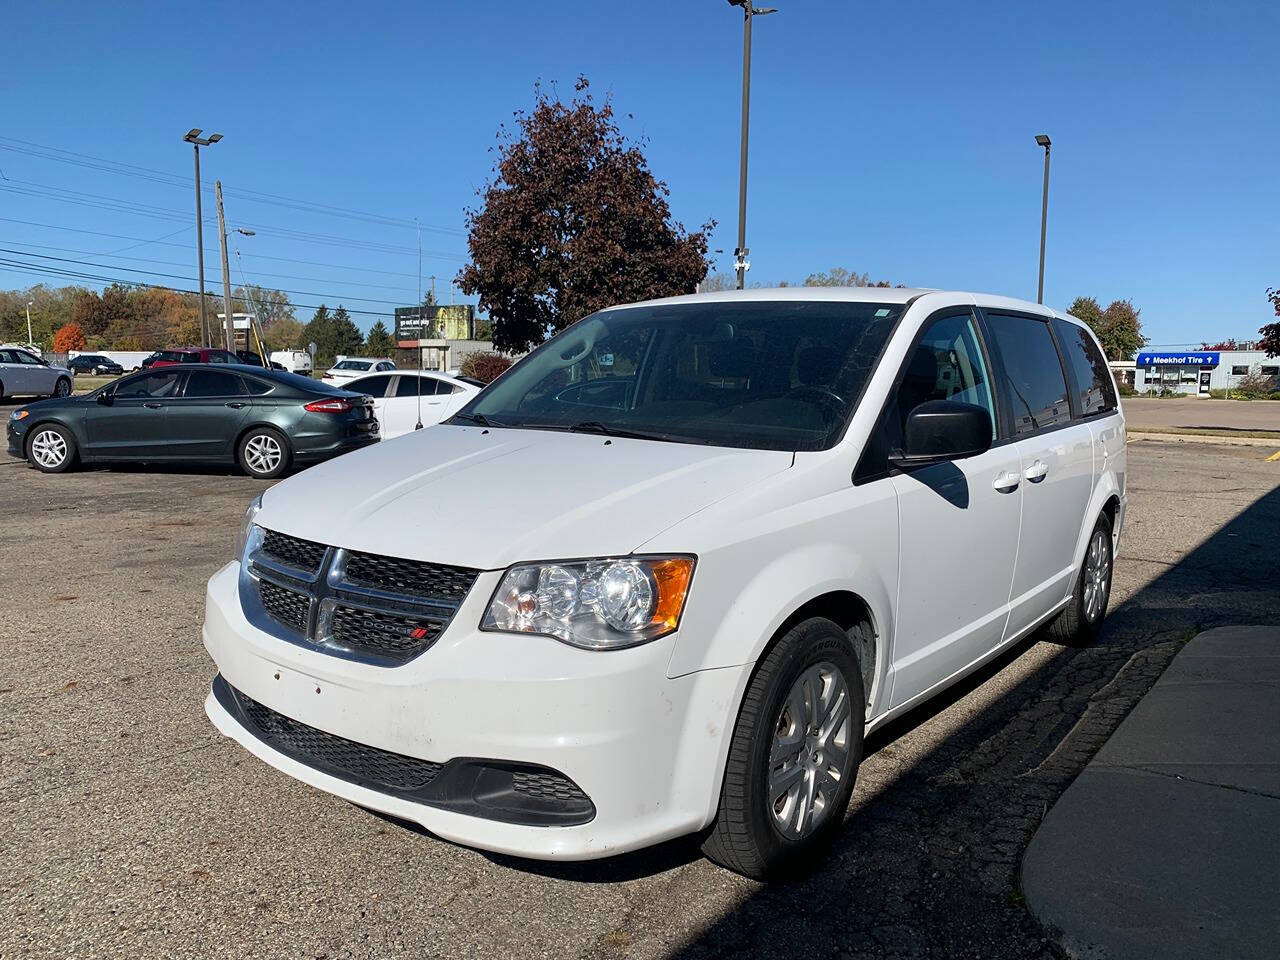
(333, 755)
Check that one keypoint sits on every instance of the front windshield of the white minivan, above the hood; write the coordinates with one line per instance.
(781, 376)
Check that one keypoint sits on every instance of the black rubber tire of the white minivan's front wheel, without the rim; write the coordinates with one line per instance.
(747, 836)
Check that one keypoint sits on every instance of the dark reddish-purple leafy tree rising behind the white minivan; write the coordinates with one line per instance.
(574, 221)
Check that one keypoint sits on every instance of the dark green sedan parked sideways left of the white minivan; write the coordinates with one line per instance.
(264, 420)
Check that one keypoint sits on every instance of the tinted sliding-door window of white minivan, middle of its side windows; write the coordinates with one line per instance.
(1035, 378)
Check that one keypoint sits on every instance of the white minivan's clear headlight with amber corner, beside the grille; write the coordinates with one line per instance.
(601, 605)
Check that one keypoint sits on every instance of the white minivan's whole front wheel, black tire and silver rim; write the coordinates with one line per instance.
(794, 757)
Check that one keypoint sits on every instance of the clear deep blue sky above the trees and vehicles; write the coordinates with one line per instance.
(892, 139)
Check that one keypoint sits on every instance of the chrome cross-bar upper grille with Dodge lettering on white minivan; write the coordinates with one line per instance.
(360, 606)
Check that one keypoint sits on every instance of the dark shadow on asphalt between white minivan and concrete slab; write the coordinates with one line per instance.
(927, 863)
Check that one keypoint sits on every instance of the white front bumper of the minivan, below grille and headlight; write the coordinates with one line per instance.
(648, 751)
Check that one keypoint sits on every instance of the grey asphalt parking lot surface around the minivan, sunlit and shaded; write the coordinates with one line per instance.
(131, 829)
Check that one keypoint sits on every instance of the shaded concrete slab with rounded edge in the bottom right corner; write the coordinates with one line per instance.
(1167, 844)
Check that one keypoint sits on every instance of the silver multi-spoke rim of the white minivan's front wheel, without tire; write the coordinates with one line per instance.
(810, 753)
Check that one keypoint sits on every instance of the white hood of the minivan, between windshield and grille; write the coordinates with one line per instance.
(490, 499)
